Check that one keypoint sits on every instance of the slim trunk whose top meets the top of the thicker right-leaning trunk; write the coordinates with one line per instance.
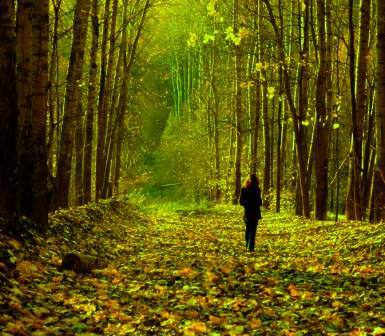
(91, 105)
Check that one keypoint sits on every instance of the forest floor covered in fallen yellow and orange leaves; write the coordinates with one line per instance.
(187, 273)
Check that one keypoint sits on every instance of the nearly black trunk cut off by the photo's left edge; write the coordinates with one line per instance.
(8, 115)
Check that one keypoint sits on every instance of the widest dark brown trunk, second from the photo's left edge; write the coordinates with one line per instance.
(32, 51)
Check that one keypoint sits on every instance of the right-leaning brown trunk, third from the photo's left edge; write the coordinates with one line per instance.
(74, 76)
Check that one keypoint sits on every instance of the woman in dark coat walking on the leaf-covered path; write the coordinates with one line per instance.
(250, 199)
